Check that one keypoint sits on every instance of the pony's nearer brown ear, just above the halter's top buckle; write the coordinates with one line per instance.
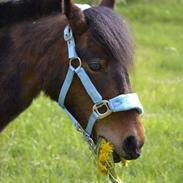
(75, 17)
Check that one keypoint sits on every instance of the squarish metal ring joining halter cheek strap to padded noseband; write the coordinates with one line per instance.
(103, 104)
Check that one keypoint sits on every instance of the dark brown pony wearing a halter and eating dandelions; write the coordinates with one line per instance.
(33, 58)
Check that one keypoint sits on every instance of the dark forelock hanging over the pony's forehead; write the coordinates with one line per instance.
(112, 33)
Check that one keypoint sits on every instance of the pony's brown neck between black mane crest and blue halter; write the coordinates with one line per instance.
(37, 57)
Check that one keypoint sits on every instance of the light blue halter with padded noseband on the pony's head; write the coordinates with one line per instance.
(122, 102)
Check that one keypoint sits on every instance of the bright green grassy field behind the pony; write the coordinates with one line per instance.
(41, 145)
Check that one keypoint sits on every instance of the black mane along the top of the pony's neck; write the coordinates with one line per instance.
(13, 11)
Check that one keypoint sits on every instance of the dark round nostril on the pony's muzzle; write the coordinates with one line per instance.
(131, 147)
